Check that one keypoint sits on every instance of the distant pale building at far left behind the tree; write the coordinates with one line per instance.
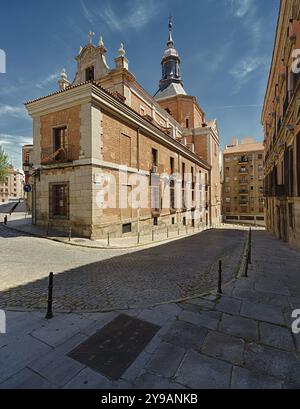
(12, 188)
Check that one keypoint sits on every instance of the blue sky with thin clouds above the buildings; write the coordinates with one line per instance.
(225, 48)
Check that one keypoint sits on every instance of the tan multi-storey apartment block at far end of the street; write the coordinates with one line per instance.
(243, 192)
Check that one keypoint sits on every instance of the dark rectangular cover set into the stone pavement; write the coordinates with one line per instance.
(112, 350)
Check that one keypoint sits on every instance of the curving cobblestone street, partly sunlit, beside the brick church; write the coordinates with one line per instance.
(97, 280)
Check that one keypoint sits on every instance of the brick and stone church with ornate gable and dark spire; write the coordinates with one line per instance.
(104, 136)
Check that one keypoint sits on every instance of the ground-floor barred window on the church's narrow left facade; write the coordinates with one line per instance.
(59, 200)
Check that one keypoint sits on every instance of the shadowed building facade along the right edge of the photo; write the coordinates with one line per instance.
(281, 121)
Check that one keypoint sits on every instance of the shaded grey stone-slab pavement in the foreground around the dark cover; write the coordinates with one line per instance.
(239, 340)
